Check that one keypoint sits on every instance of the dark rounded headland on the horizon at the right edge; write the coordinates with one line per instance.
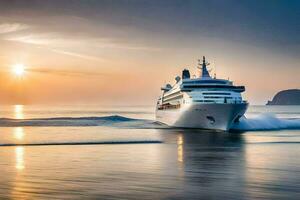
(286, 97)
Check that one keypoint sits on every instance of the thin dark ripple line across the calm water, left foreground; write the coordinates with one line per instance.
(83, 143)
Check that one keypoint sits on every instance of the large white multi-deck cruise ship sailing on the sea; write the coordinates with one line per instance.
(203, 102)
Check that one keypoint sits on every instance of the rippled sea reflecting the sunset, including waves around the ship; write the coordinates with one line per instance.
(99, 152)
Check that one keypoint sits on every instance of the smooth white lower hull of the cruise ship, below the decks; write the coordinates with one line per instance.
(203, 116)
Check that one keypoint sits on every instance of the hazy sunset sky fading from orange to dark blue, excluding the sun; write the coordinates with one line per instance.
(121, 52)
